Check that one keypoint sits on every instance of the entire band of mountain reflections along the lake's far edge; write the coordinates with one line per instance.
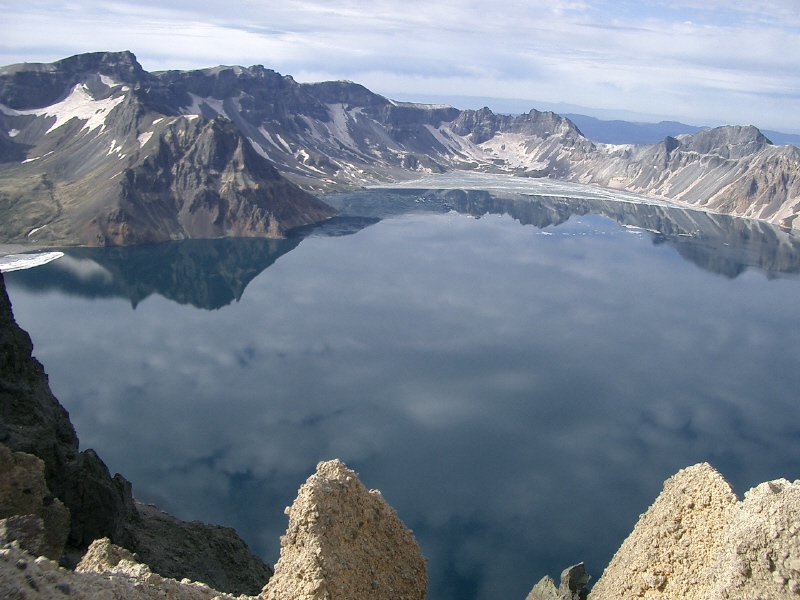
(213, 273)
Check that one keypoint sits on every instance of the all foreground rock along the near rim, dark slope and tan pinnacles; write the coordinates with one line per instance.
(70, 530)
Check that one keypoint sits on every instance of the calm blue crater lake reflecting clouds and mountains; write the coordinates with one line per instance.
(518, 385)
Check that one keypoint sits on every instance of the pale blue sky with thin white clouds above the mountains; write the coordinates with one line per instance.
(702, 62)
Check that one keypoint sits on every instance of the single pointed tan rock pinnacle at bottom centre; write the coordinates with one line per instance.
(344, 542)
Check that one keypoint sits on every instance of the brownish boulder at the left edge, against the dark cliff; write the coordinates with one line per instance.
(23, 491)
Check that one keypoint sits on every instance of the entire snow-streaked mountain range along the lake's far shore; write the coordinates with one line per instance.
(94, 150)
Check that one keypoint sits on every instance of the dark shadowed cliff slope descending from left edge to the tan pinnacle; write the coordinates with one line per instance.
(100, 506)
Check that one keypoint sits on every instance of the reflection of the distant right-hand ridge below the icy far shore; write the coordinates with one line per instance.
(717, 243)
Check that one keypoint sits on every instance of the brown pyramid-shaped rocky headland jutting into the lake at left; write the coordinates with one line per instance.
(204, 181)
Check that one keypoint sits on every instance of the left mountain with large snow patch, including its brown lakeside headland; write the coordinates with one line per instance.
(108, 161)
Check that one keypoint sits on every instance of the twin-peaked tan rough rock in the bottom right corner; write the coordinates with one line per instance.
(697, 541)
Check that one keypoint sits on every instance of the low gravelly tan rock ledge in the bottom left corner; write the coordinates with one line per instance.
(107, 572)
